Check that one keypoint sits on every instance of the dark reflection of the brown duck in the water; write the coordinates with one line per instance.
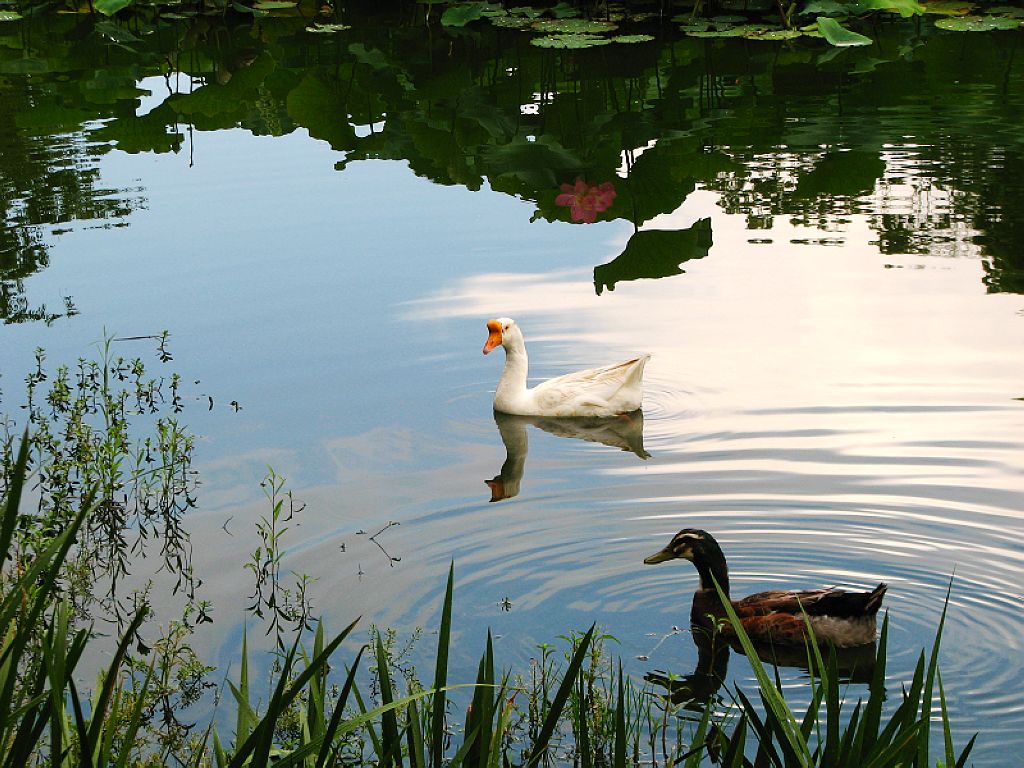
(855, 665)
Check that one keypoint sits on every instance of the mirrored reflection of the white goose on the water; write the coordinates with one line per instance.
(625, 433)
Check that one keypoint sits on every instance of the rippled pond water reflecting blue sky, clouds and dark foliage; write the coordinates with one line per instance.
(822, 250)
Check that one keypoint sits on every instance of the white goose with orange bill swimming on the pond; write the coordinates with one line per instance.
(596, 392)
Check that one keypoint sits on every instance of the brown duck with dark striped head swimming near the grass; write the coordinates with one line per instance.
(841, 618)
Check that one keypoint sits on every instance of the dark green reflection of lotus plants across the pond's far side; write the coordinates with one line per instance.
(801, 131)
